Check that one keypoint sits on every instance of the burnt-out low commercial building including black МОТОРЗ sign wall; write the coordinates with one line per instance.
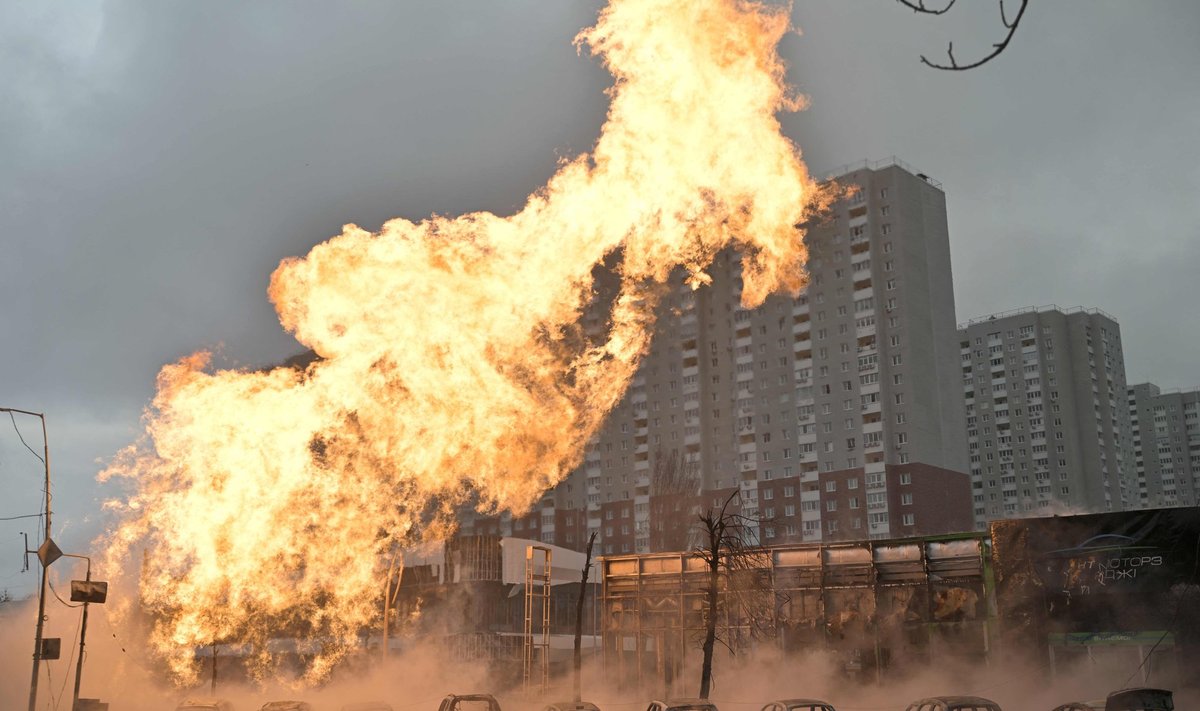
(1120, 591)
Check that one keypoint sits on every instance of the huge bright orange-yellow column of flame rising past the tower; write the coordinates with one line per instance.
(452, 365)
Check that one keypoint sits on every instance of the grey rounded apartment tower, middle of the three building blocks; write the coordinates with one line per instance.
(1048, 427)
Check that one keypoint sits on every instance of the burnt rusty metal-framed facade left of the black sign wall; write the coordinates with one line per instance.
(874, 605)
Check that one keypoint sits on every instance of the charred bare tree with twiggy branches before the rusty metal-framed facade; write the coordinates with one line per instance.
(737, 567)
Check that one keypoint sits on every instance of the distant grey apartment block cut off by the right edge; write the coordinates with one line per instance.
(1166, 445)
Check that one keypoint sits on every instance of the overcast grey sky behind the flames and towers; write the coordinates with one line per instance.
(159, 159)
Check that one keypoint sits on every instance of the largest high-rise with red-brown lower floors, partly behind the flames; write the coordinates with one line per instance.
(836, 416)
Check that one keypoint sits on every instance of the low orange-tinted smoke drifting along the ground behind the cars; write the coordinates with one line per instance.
(419, 676)
